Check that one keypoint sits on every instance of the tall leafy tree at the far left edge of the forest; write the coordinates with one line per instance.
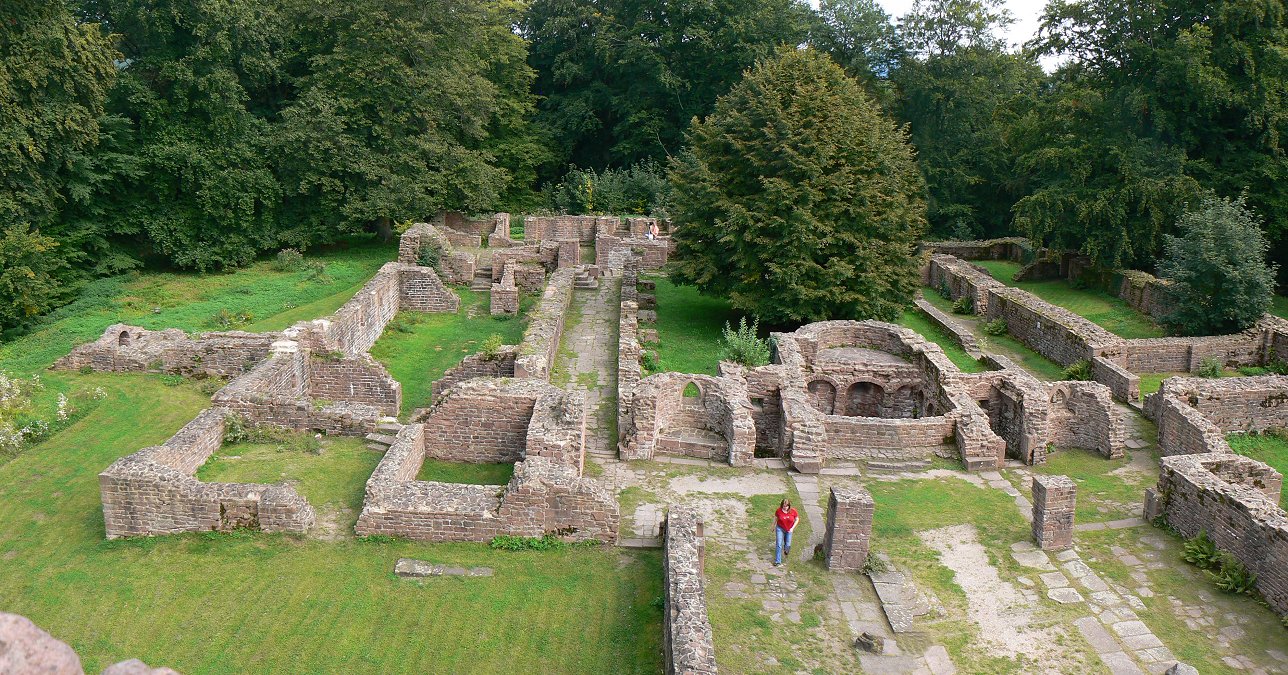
(55, 77)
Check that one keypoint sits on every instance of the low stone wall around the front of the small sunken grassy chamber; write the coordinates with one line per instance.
(544, 497)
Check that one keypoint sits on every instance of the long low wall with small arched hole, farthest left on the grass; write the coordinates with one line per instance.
(126, 348)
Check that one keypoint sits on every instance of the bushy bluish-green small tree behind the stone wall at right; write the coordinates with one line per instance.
(1218, 266)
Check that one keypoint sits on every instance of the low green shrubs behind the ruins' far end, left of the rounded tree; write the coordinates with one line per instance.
(641, 189)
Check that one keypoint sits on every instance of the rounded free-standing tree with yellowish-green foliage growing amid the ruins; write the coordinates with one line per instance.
(799, 199)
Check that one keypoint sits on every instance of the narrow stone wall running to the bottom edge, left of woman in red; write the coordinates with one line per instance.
(687, 643)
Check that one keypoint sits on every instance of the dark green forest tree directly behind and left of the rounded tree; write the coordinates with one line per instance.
(621, 79)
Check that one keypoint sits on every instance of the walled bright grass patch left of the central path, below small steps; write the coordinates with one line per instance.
(418, 348)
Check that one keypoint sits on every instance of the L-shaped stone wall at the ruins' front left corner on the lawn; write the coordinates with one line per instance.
(155, 491)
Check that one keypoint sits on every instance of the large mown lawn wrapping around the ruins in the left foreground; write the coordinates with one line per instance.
(271, 604)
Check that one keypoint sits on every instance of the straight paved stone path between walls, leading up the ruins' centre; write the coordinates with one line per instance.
(588, 355)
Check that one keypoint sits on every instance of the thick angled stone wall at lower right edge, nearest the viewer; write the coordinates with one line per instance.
(1235, 500)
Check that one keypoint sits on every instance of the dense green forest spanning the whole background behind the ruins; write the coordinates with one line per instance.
(200, 135)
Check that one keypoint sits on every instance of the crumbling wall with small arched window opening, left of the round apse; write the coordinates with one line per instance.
(714, 426)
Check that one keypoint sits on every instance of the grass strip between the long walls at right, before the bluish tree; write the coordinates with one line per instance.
(1107, 311)
